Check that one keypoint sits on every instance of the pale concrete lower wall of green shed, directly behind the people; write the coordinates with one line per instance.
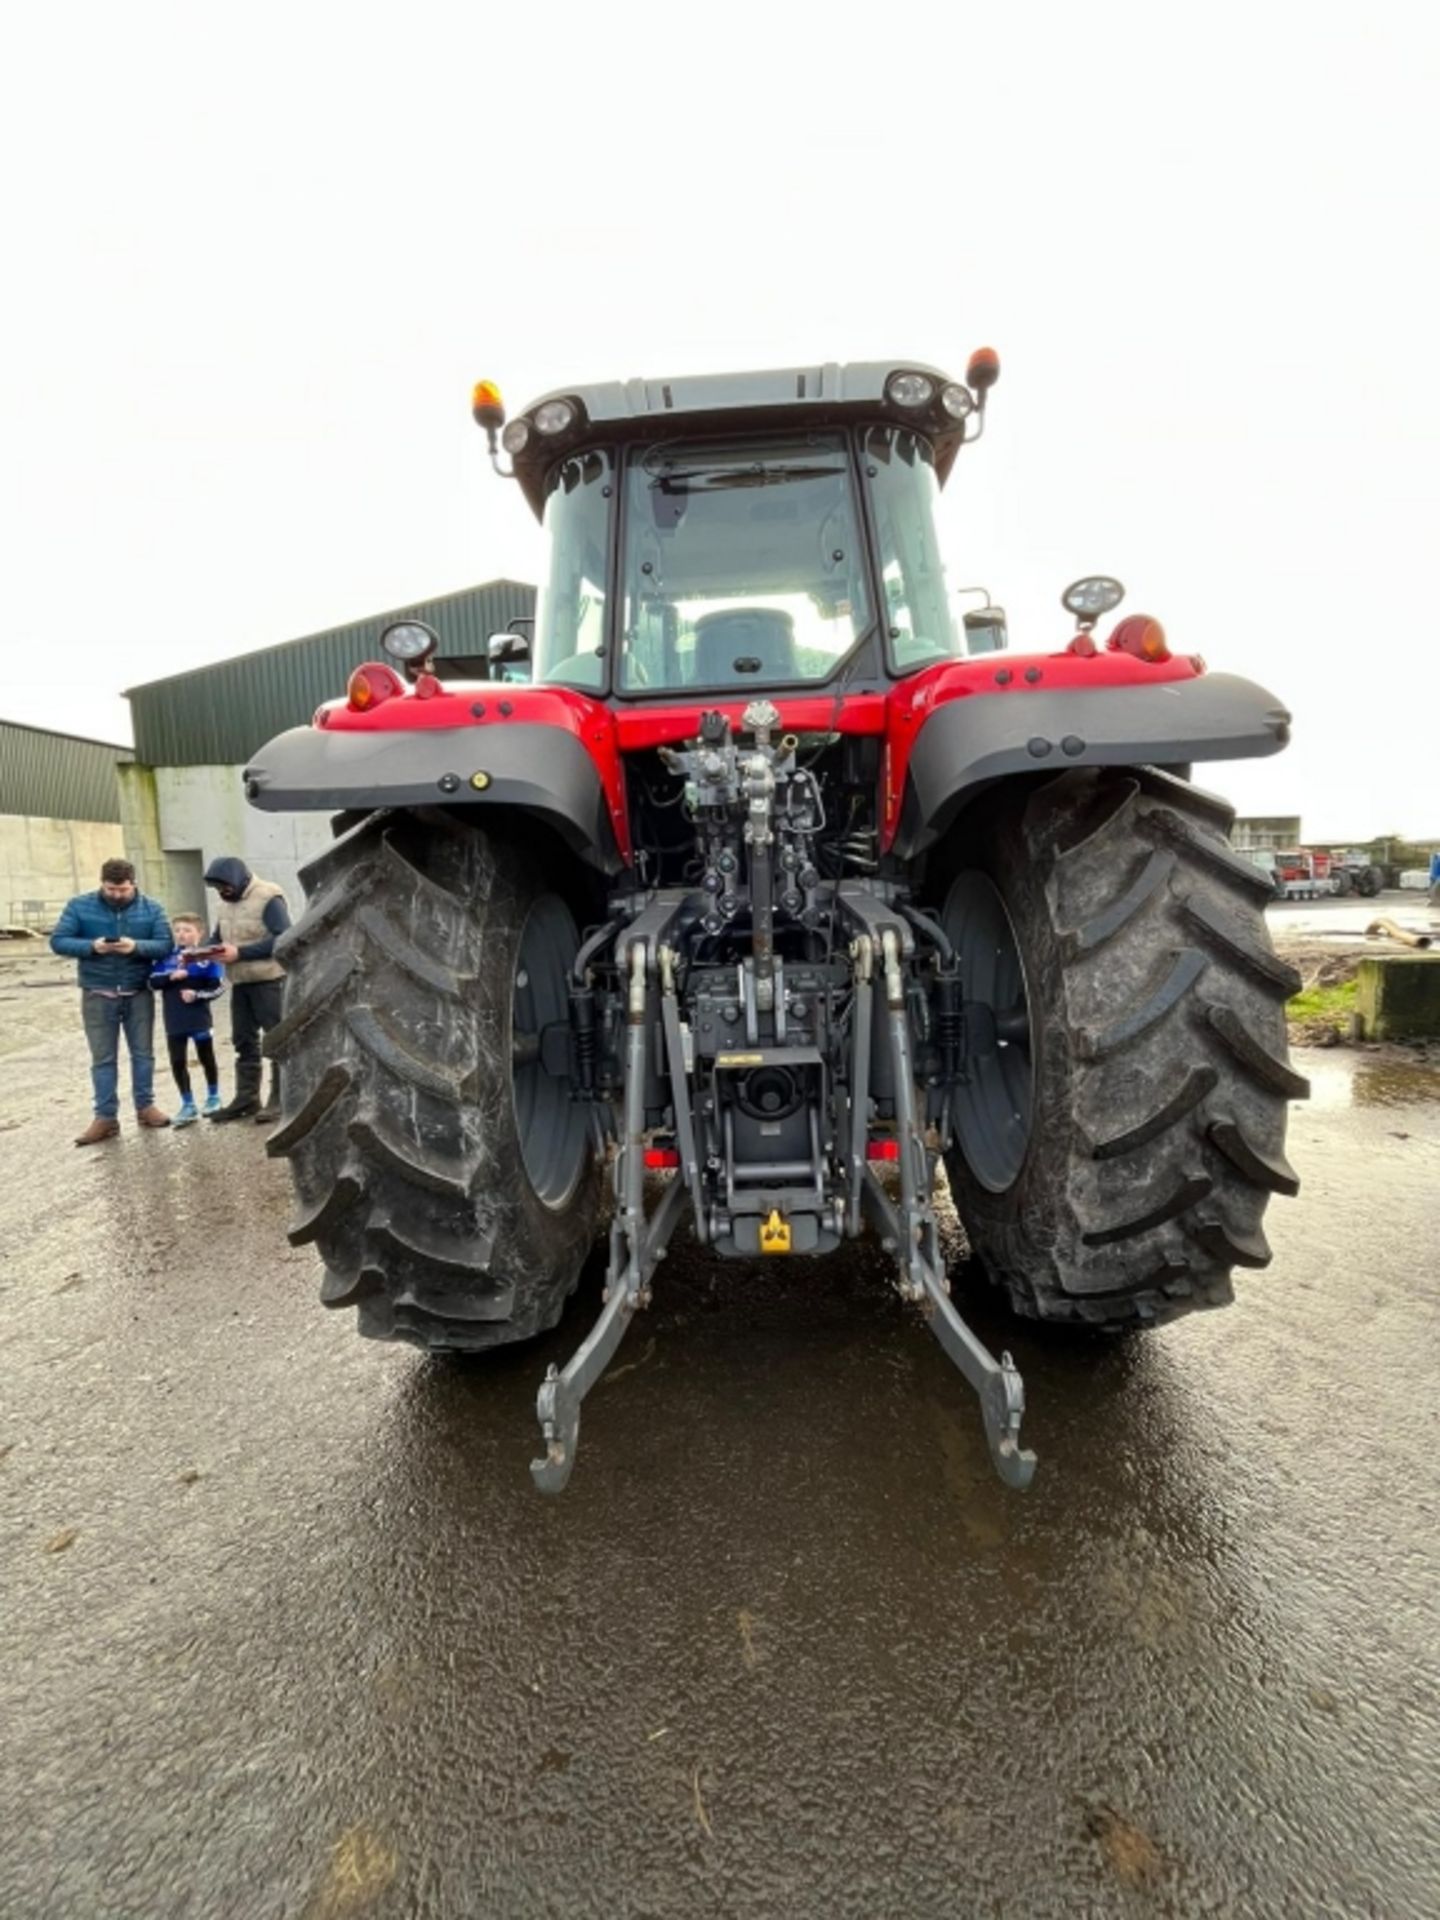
(180, 819)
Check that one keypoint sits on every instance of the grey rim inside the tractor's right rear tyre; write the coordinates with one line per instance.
(996, 1103)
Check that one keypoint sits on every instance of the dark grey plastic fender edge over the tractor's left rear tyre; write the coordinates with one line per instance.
(537, 771)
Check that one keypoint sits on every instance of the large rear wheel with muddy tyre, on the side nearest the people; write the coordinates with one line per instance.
(444, 1174)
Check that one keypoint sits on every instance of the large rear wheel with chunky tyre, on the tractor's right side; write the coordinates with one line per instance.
(1122, 1128)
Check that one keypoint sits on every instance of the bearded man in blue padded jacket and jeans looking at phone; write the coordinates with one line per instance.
(118, 936)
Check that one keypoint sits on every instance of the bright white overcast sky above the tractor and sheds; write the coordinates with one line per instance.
(258, 260)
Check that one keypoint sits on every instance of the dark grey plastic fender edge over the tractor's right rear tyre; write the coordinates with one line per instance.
(969, 744)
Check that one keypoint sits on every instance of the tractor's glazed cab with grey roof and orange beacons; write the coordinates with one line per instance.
(744, 535)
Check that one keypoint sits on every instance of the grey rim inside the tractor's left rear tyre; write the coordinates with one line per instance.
(552, 1126)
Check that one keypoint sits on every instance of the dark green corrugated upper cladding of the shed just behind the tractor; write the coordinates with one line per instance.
(222, 715)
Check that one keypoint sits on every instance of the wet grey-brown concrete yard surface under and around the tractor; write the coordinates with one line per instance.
(289, 1635)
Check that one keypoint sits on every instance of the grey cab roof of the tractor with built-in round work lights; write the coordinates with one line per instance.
(708, 404)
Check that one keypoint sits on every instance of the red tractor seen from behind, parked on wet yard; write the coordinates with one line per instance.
(767, 900)
